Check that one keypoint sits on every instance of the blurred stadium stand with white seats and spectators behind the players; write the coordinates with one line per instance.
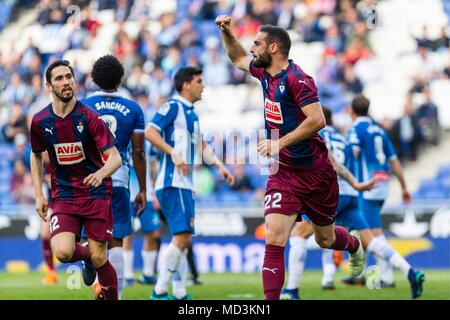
(338, 42)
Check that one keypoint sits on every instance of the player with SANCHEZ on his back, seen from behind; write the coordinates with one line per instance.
(125, 120)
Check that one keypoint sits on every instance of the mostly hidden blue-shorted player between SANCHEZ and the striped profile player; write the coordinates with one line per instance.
(150, 225)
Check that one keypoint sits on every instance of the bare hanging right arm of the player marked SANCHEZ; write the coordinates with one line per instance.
(139, 163)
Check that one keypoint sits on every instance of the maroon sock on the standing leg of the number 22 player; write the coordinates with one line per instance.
(273, 272)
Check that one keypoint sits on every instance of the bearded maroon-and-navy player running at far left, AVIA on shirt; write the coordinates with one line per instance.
(76, 139)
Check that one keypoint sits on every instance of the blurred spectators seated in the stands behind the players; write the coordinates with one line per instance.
(174, 33)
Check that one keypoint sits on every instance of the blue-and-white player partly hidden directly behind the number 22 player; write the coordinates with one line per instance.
(349, 214)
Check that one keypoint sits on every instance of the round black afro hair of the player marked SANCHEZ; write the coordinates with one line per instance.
(107, 72)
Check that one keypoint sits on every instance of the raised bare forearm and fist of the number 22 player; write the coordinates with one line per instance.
(235, 50)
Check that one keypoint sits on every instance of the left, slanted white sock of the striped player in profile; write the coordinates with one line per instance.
(170, 265)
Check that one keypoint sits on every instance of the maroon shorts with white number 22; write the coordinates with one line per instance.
(313, 191)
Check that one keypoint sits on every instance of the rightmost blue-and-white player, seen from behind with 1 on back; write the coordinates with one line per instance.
(375, 157)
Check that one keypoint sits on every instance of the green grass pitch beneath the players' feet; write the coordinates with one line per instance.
(227, 287)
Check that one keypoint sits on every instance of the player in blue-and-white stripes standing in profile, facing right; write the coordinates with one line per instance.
(175, 131)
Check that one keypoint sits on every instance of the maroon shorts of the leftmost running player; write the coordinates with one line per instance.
(94, 214)
